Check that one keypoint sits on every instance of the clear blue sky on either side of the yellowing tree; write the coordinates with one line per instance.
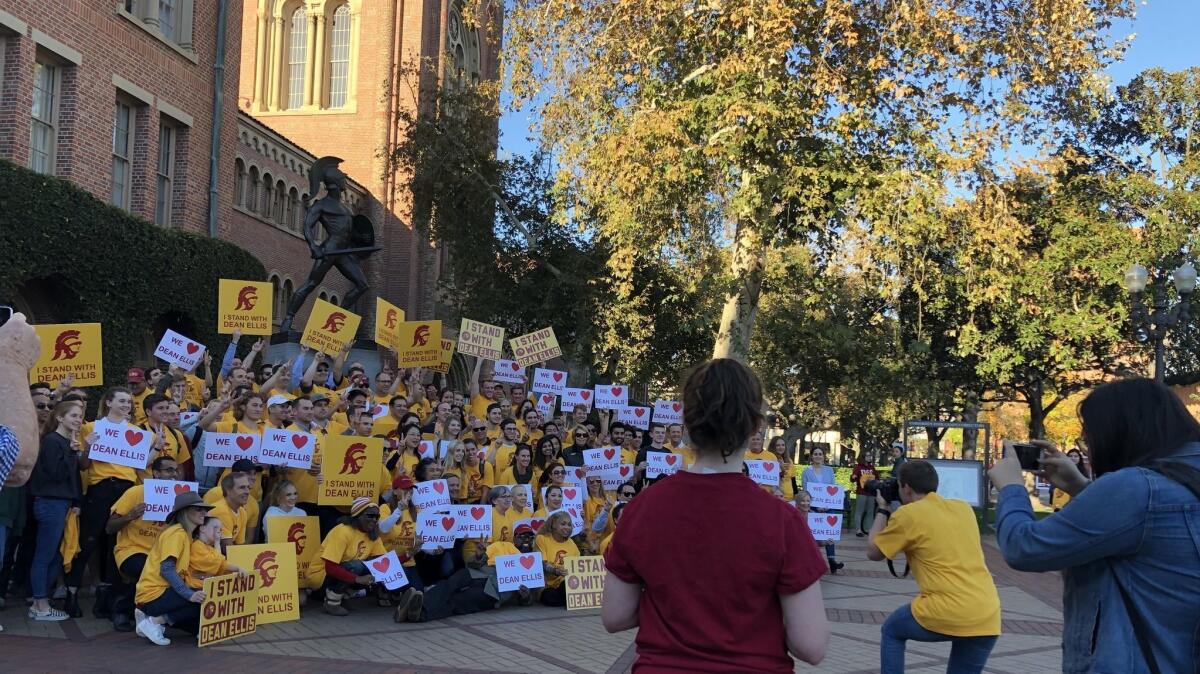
(1167, 38)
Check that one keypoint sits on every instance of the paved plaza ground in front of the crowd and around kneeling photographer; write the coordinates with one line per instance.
(533, 640)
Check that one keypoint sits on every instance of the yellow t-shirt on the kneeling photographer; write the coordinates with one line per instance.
(940, 539)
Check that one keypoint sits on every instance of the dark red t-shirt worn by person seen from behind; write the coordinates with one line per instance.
(715, 553)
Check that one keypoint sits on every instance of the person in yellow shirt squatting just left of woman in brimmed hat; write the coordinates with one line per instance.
(135, 538)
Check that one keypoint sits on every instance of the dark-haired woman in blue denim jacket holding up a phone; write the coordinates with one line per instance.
(1132, 528)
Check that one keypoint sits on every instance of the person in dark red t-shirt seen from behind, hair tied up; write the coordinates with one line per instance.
(665, 576)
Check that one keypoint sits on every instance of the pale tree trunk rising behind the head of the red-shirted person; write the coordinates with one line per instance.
(742, 302)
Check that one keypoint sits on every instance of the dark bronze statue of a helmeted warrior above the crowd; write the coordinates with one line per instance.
(349, 238)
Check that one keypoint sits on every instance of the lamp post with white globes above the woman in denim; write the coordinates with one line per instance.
(1153, 323)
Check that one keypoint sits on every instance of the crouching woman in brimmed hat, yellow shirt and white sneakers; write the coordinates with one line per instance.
(163, 594)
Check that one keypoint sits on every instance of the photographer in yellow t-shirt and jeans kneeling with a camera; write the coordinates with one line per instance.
(940, 539)
